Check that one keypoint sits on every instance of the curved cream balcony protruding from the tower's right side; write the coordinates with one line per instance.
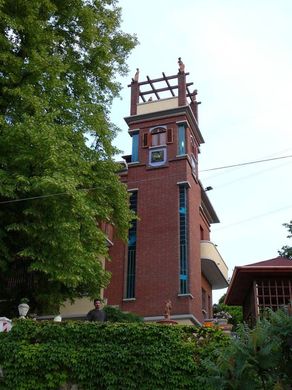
(213, 266)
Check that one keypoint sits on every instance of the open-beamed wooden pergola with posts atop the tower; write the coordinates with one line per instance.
(162, 85)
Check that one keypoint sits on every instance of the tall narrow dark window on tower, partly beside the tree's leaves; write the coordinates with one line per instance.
(132, 239)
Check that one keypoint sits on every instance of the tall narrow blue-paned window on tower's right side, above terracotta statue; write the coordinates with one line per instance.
(183, 239)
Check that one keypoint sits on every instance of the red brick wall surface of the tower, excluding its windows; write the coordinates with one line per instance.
(157, 251)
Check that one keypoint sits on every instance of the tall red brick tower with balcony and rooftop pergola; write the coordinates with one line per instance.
(169, 255)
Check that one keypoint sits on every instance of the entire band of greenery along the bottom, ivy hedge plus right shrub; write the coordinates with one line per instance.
(48, 355)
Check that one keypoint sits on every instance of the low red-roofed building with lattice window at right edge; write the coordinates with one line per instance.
(258, 286)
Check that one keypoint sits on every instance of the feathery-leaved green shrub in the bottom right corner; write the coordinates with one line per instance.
(260, 358)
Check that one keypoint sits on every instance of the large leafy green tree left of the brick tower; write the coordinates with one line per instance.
(58, 65)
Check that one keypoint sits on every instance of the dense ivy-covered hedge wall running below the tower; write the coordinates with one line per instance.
(104, 356)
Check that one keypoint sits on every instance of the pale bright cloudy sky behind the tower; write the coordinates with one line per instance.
(239, 56)
